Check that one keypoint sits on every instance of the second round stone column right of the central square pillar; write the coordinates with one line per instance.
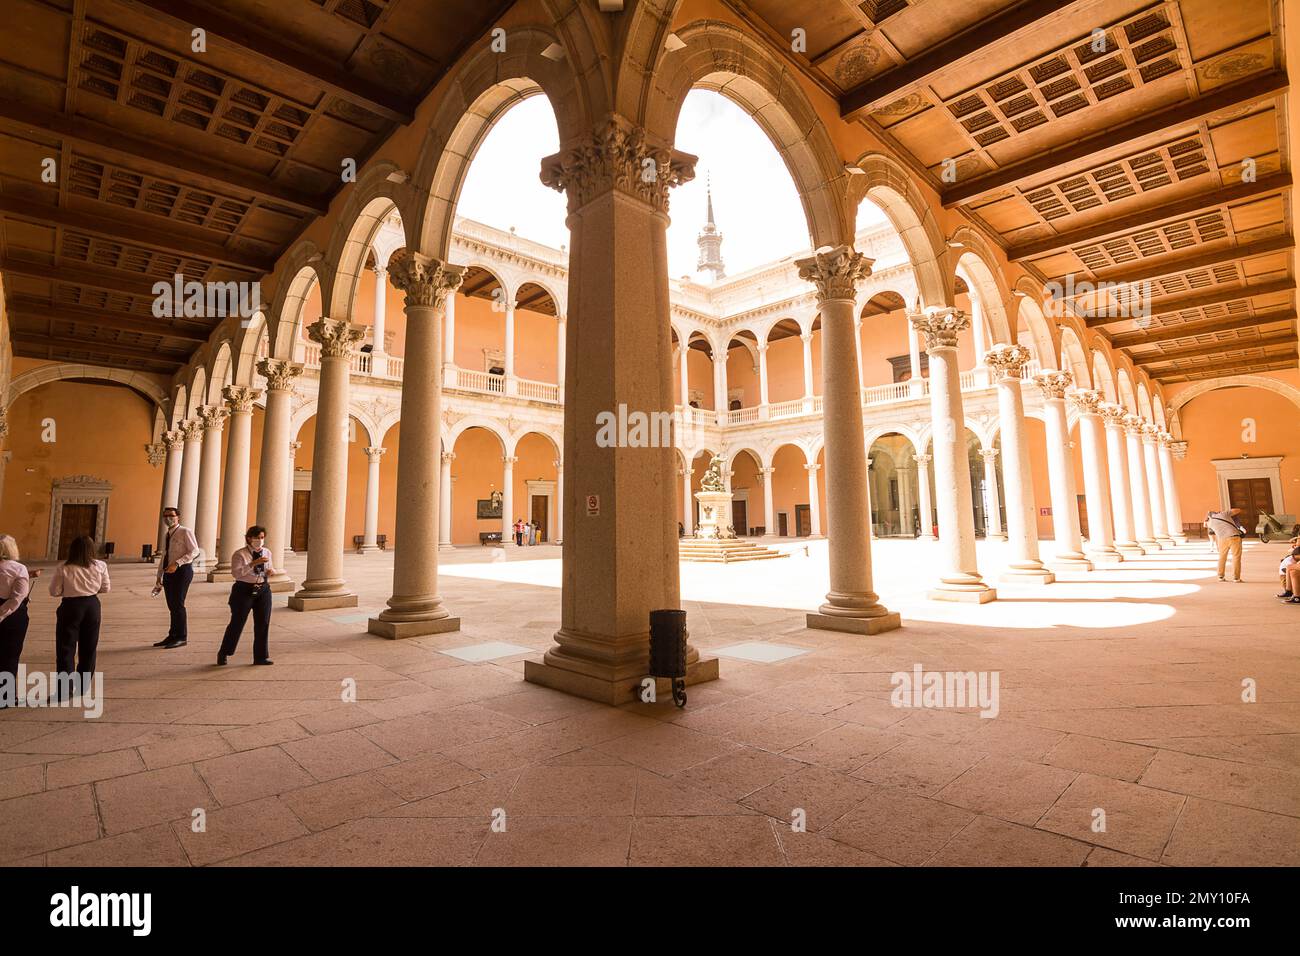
(960, 578)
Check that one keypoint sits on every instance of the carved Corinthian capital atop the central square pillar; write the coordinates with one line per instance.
(618, 155)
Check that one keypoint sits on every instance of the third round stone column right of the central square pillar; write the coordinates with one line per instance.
(1007, 366)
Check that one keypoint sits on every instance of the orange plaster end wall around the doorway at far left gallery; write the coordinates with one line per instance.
(101, 431)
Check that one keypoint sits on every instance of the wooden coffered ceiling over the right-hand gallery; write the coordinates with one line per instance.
(1104, 140)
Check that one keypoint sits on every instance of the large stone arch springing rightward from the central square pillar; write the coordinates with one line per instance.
(723, 59)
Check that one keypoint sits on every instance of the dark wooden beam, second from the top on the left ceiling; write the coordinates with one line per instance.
(154, 158)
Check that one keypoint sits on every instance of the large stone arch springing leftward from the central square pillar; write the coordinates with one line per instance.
(482, 90)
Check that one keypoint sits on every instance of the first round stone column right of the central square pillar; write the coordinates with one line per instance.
(851, 604)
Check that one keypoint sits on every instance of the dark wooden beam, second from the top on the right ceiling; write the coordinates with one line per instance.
(1059, 162)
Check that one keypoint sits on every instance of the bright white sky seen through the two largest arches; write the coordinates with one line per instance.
(756, 206)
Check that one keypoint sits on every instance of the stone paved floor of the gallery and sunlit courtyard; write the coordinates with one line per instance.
(1121, 691)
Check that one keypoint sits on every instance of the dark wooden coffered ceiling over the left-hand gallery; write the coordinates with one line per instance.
(170, 161)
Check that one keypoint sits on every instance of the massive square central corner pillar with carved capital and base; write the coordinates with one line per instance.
(621, 563)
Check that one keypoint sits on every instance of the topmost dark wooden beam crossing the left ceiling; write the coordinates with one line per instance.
(297, 63)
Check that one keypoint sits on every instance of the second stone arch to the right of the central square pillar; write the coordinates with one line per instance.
(889, 185)
